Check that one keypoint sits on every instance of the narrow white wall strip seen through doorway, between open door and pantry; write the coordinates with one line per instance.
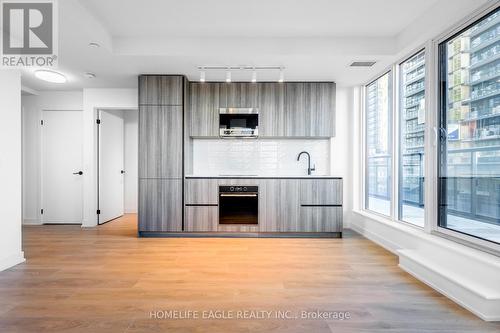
(131, 123)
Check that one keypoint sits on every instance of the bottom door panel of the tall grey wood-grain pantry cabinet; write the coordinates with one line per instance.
(160, 205)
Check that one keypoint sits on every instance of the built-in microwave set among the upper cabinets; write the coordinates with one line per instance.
(239, 122)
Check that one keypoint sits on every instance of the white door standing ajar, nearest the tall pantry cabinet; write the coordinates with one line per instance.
(111, 165)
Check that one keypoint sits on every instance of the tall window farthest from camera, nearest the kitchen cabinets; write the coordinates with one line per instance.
(378, 145)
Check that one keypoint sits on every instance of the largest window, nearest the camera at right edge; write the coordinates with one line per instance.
(469, 150)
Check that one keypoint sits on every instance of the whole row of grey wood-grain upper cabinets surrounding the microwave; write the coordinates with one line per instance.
(294, 109)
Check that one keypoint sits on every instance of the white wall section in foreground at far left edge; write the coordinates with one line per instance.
(10, 169)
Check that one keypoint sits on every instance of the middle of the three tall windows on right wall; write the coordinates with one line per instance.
(411, 131)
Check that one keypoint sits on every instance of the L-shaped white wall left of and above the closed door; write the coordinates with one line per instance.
(32, 107)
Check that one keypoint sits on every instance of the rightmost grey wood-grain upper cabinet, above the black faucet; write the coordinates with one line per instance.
(309, 109)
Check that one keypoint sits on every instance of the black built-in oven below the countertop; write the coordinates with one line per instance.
(238, 204)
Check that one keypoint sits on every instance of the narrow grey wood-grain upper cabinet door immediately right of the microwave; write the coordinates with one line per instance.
(271, 109)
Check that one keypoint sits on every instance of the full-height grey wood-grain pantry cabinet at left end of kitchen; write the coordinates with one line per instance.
(161, 140)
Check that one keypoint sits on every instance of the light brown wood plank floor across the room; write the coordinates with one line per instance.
(107, 280)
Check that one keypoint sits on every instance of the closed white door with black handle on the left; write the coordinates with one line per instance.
(62, 167)
